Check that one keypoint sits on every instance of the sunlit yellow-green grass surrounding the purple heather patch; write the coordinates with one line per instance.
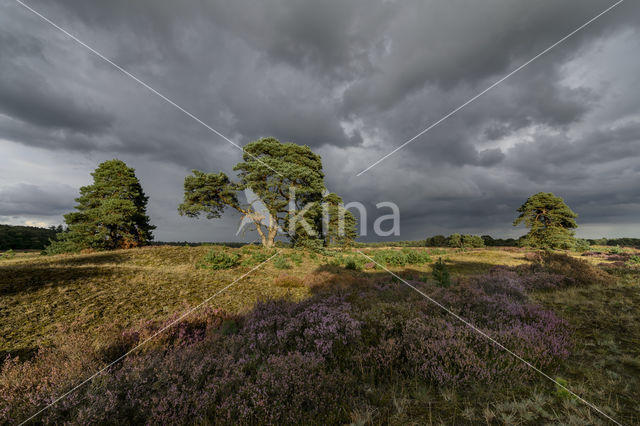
(41, 298)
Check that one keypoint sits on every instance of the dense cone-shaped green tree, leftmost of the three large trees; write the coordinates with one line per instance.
(111, 213)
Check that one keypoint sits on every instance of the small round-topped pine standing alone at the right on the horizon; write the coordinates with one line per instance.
(550, 221)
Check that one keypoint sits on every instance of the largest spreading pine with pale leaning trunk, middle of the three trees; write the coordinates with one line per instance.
(287, 178)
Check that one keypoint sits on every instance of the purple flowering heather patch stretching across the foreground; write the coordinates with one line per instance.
(306, 362)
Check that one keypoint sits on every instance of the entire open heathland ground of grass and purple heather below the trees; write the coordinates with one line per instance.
(321, 337)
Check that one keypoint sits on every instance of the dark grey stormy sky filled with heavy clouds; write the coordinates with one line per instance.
(351, 79)
